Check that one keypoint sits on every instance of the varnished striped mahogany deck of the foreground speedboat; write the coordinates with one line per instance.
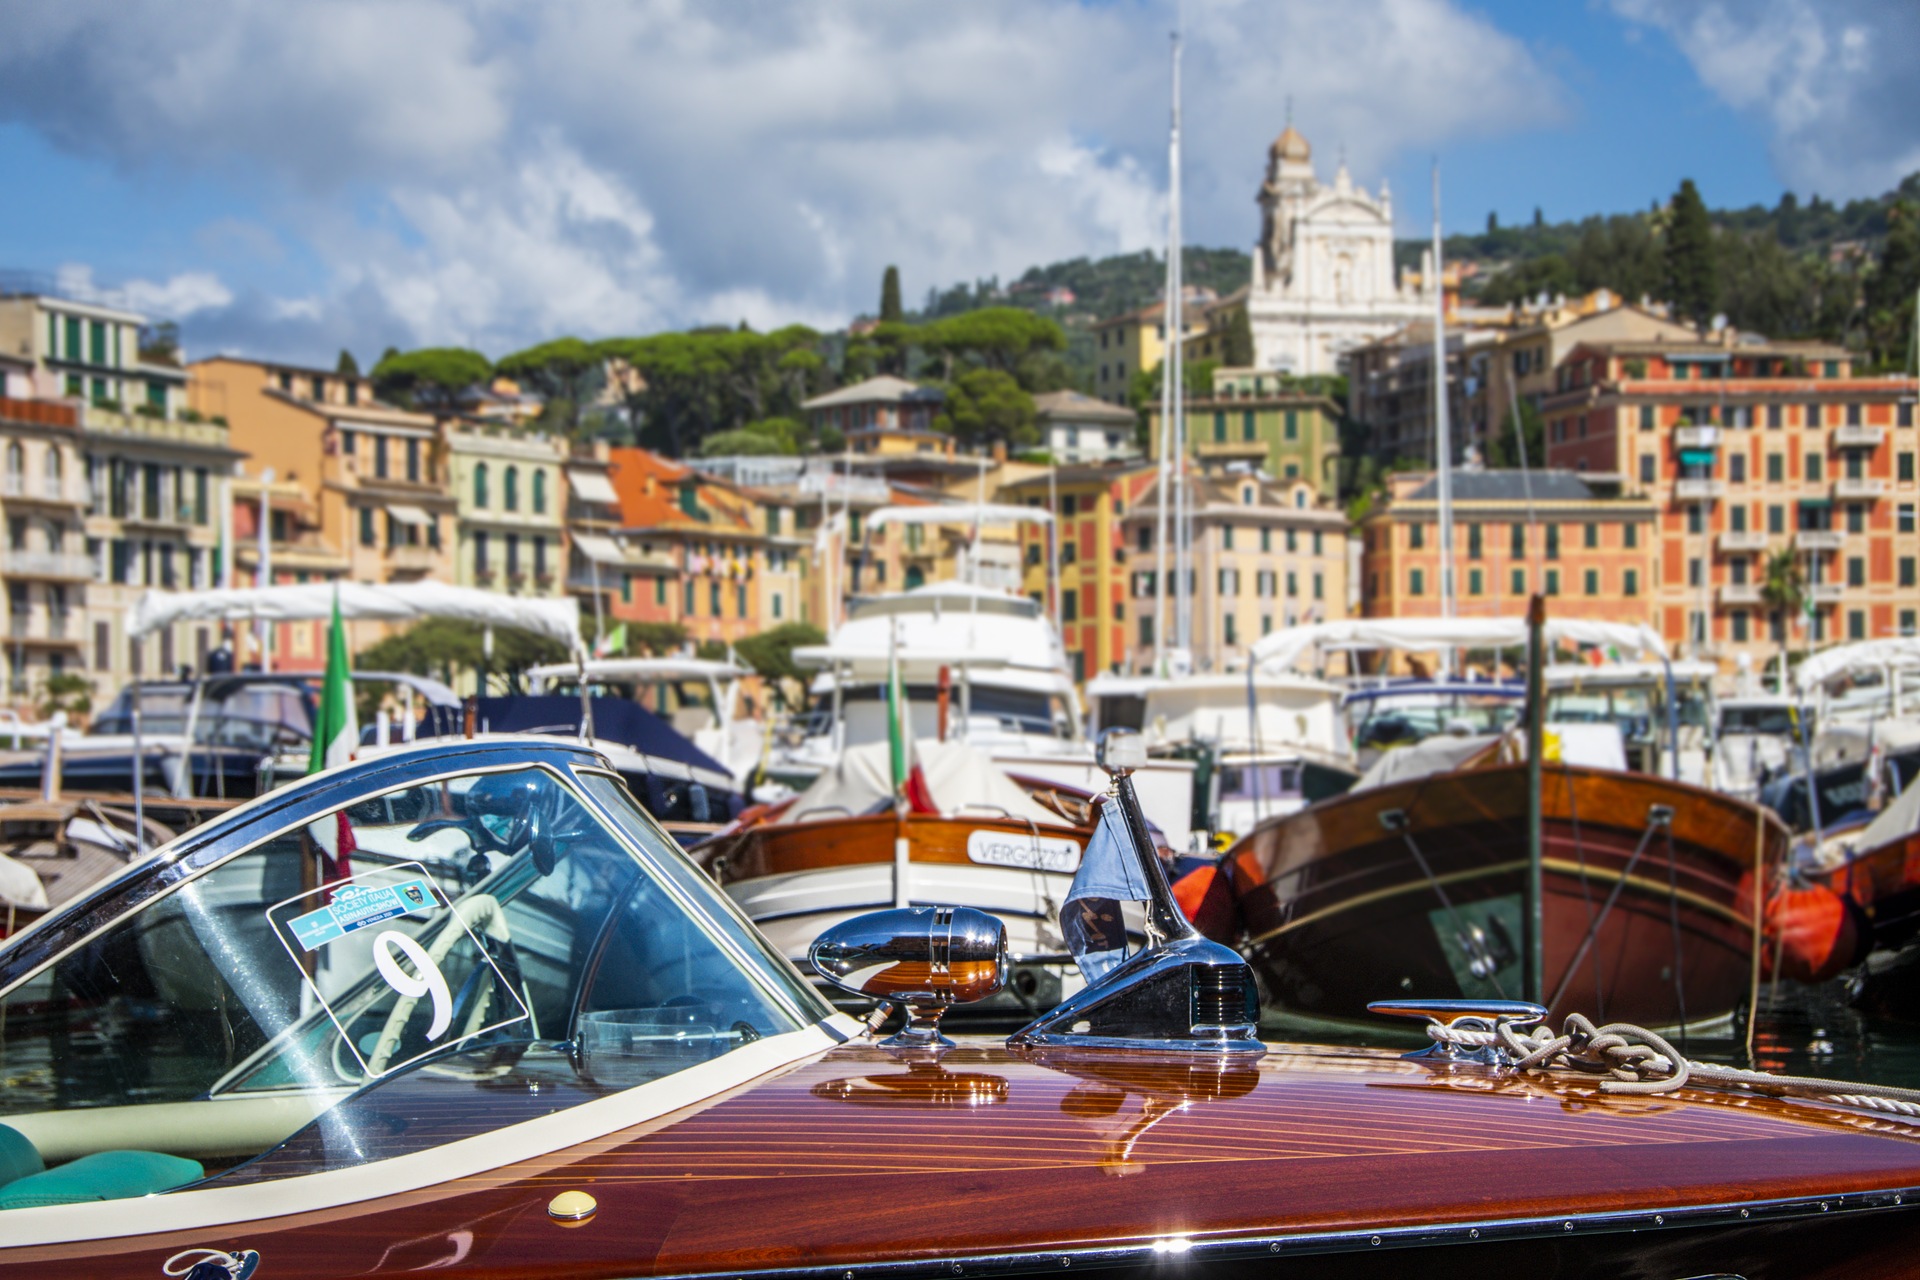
(857, 1160)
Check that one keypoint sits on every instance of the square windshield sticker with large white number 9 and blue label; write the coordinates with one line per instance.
(437, 974)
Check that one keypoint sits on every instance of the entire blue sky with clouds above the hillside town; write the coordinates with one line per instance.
(293, 178)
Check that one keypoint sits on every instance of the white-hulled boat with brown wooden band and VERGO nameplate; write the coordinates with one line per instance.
(844, 847)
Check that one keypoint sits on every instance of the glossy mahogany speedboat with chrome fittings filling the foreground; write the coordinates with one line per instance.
(579, 1062)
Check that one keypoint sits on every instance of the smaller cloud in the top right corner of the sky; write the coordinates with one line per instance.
(1831, 78)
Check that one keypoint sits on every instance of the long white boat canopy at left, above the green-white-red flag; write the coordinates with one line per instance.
(358, 602)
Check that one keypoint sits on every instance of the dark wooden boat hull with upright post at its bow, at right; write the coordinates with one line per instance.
(1420, 889)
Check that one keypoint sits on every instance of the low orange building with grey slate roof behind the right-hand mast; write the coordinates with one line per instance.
(1514, 534)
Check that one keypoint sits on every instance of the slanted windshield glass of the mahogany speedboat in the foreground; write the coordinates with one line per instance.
(469, 953)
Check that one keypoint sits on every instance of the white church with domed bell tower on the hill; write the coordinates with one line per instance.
(1324, 270)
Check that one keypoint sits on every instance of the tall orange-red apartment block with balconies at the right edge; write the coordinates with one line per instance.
(1750, 448)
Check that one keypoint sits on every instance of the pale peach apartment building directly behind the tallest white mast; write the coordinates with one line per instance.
(1266, 556)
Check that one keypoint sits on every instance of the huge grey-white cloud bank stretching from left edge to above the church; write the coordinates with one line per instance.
(500, 172)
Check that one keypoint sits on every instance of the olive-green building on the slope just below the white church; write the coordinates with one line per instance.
(1262, 421)
